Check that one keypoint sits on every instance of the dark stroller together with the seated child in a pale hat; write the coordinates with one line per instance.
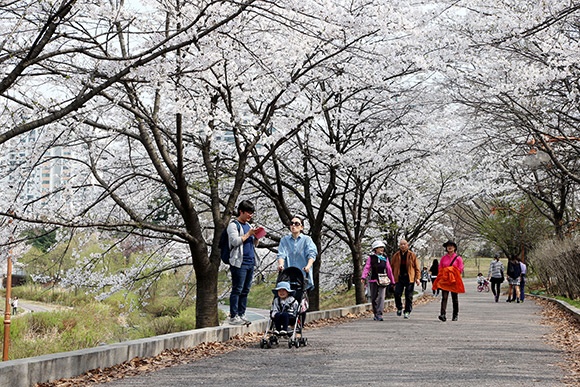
(288, 308)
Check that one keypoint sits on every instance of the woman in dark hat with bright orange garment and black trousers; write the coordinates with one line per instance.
(449, 279)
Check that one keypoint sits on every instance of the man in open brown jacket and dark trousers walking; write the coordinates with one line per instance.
(407, 273)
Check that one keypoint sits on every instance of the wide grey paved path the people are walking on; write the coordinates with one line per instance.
(492, 344)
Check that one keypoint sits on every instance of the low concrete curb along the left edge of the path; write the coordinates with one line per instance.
(41, 369)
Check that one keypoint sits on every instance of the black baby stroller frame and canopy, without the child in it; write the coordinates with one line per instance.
(294, 276)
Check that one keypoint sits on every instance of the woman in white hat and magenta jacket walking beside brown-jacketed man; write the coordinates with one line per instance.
(377, 263)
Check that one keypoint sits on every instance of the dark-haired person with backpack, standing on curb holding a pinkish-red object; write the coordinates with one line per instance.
(242, 260)
